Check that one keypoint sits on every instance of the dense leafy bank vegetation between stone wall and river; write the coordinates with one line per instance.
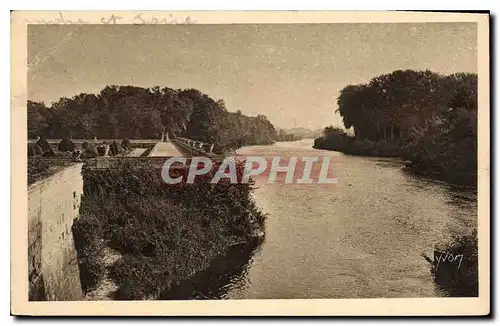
(165, 233)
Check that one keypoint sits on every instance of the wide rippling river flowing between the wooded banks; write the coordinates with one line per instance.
(362, 237)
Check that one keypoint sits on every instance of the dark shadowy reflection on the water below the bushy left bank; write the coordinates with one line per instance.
(226, 274)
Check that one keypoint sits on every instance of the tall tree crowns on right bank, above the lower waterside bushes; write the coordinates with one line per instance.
(406, 99)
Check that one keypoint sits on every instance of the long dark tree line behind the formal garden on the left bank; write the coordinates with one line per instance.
(136, 112)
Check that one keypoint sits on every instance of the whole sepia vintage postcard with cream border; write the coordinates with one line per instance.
(250, 163)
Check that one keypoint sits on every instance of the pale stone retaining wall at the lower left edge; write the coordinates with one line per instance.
(53, 204)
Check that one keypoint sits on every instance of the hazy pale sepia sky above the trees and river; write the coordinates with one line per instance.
(290, 73)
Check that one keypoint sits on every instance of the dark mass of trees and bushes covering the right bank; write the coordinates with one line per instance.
(433, 116)
